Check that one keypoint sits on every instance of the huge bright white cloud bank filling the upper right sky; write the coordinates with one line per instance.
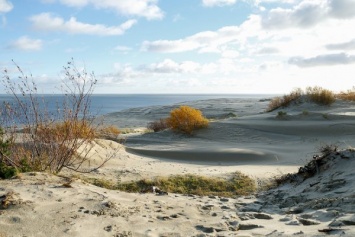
(293, 42)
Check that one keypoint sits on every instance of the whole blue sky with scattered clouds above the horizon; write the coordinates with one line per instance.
(183, 46)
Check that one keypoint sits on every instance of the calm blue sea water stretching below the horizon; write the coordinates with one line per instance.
(103, 104)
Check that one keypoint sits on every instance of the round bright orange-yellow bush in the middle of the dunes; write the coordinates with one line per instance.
(186, 119)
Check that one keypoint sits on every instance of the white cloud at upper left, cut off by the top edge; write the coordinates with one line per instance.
(142, 8)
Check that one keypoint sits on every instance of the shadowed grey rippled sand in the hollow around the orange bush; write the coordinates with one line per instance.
(242, 136)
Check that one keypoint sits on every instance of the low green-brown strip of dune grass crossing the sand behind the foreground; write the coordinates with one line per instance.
(238, 184)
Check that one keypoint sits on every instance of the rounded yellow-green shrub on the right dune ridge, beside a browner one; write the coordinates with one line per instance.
(320, 95)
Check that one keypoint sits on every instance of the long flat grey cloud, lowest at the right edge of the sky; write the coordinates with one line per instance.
(323, 60)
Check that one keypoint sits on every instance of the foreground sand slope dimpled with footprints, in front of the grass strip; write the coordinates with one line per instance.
(38, 204)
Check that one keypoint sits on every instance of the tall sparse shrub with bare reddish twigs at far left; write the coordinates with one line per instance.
(50, 140)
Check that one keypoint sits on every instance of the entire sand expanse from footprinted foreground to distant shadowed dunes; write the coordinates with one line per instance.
(242, 137)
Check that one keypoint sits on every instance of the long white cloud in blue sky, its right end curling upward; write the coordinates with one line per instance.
(48, 22)
